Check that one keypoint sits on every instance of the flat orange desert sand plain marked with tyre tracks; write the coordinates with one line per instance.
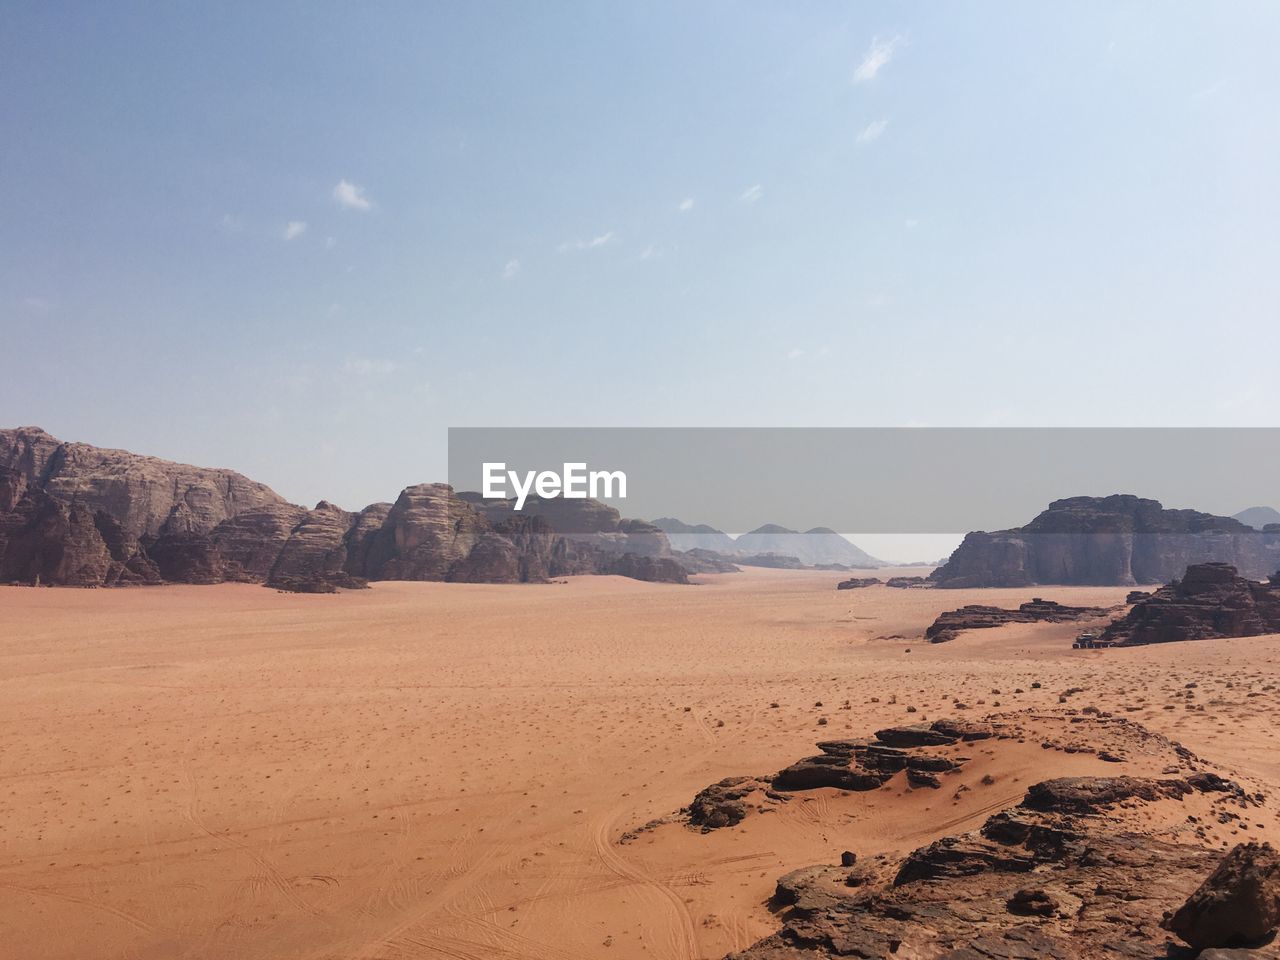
(459, 771)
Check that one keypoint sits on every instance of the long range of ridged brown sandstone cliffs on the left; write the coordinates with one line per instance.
(77, 515)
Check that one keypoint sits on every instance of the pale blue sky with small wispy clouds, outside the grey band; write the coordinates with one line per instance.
(305, 240)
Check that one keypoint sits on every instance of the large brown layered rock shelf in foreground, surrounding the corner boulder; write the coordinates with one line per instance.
(1076, 871)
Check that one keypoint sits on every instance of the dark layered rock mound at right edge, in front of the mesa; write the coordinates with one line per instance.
(1210, 601)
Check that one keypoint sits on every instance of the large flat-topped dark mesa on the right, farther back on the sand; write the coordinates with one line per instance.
(1113, 541)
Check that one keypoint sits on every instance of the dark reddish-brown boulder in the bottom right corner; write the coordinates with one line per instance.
(1238, 906)
